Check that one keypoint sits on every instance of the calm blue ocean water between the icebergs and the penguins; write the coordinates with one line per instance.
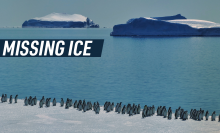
(166, 71)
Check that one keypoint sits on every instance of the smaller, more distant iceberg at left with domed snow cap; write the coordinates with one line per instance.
(60, 20)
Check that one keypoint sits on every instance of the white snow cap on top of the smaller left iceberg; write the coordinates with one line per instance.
(62, 17)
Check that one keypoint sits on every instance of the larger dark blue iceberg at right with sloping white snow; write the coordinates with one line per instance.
(176, 25)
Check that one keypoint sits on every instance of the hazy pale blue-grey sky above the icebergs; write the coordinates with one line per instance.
(107, 13)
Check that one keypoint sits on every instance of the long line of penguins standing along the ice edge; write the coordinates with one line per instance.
(108, 107)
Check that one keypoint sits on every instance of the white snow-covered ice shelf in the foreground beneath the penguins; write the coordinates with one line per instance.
(56, 119)
